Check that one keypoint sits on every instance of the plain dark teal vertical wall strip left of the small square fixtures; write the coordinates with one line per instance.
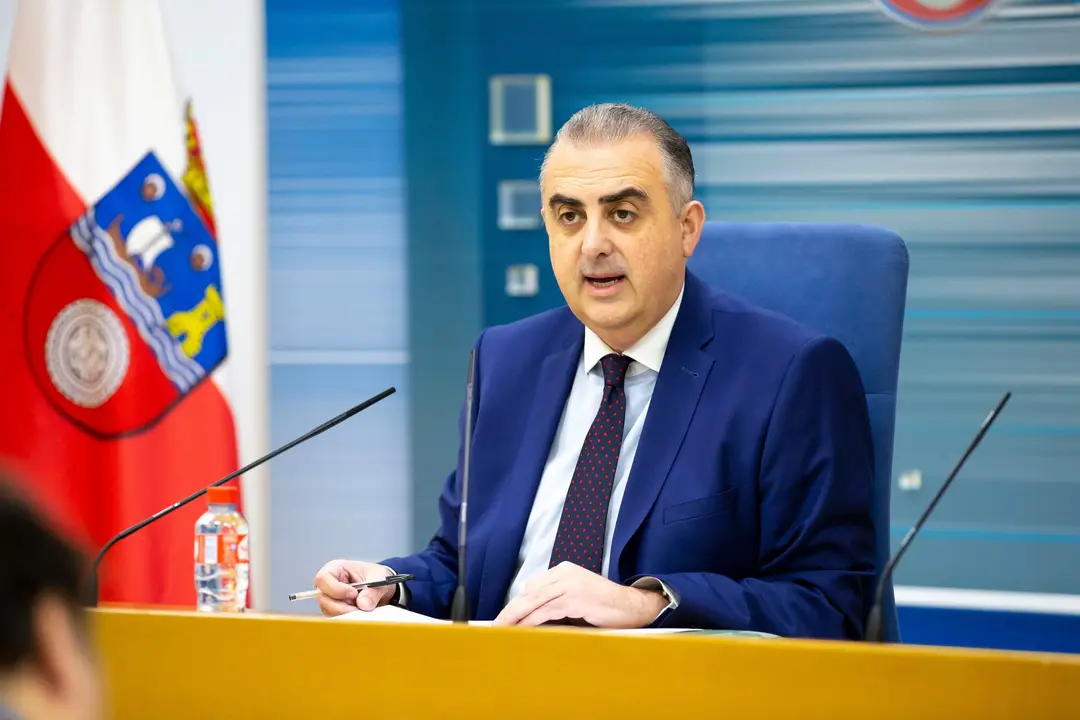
(445, 127)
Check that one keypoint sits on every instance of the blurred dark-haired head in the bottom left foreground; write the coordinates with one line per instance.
(48, 668)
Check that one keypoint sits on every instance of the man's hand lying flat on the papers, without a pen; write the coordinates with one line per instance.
(570, 592)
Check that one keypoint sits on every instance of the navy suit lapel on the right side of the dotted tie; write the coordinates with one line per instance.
(676, 399)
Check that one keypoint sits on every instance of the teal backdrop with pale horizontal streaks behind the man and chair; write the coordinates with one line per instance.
(967, 144)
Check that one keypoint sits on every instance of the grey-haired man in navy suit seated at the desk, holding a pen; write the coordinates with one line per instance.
(657, 453)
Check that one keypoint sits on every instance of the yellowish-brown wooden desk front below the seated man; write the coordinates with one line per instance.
(184, 665)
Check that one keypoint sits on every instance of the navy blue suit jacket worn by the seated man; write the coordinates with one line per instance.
(750, 495)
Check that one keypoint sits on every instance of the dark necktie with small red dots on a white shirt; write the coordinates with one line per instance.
(582, 531)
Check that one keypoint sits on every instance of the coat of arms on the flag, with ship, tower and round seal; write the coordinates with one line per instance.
(125, 315)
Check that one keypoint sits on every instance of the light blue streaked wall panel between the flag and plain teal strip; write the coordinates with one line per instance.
(339, 269)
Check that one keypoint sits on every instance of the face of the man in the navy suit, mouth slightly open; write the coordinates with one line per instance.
(618, 247)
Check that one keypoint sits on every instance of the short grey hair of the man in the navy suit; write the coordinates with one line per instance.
(612, 123)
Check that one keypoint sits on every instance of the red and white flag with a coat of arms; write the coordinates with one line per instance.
(114, 321)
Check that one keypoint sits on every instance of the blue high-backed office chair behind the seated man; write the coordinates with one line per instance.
(846, 281)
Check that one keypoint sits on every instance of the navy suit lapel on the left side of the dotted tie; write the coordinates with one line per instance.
(512, 510)
